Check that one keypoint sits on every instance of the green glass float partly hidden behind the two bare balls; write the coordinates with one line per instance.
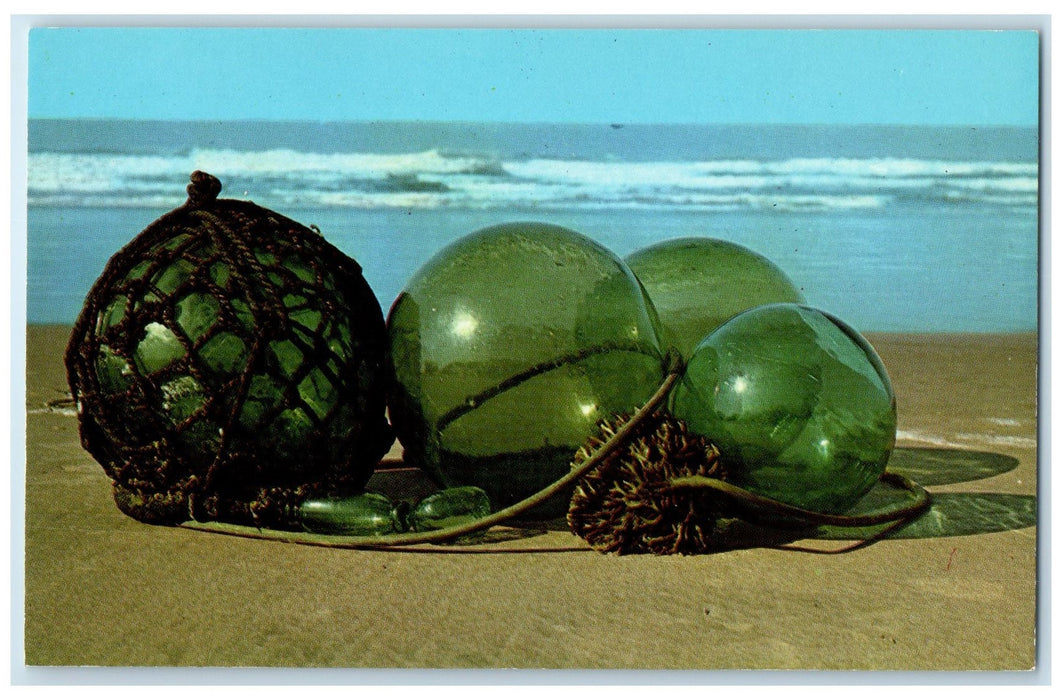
(697, 284)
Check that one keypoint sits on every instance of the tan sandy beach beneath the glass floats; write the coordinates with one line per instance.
(104, 590)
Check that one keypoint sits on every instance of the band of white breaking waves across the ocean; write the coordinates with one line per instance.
(435, 179)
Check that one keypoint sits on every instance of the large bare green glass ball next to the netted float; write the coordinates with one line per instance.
(509, 347)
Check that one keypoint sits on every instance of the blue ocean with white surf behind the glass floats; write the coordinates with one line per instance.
(893, 229)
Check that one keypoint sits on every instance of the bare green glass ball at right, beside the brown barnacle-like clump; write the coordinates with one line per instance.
(799, 404)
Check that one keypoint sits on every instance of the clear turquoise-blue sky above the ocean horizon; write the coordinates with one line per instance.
(901, 77)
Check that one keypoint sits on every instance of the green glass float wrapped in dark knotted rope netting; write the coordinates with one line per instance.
(229, 364)
